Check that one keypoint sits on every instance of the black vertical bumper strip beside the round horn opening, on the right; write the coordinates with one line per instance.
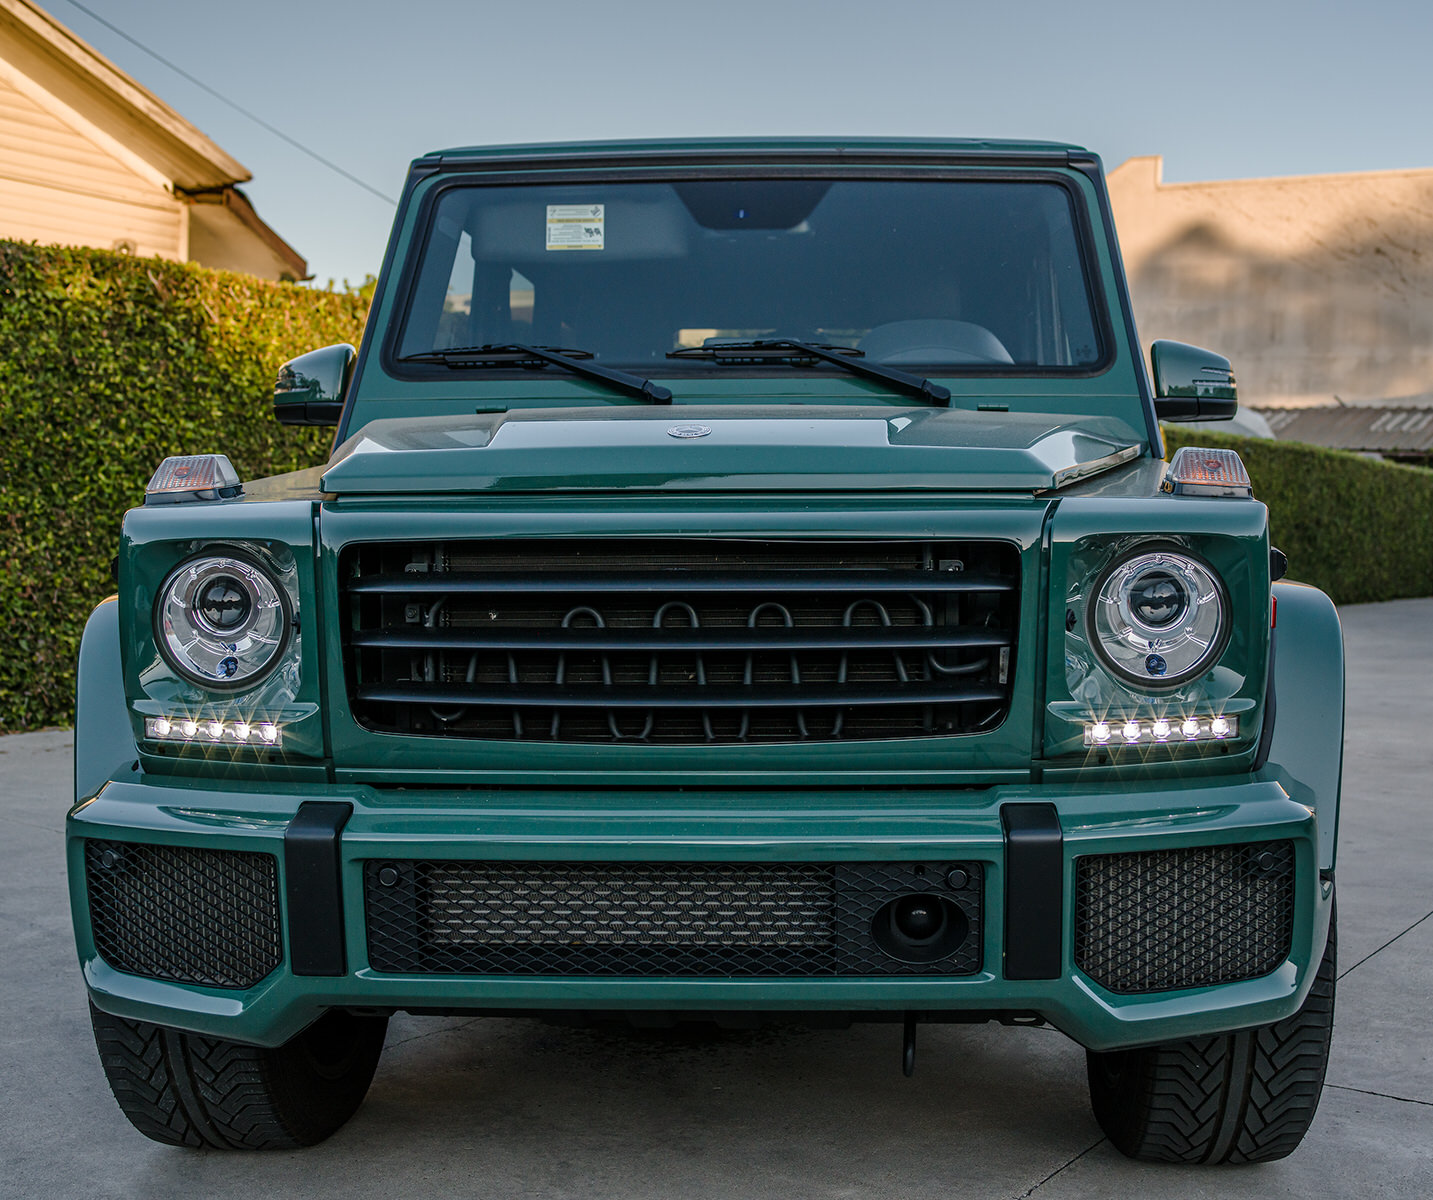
(1034, 892)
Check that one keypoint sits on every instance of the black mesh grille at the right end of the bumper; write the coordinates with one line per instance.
(1164, 920)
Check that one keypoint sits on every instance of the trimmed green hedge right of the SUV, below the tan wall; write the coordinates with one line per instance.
(1361, 530)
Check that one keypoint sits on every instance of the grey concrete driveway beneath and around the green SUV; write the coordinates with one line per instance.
(498, 1109)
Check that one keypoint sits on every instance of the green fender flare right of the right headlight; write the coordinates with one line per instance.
(1306, 752)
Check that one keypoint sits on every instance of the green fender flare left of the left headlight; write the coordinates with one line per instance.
(104, 739)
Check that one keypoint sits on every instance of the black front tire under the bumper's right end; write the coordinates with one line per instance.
(1245, 1097)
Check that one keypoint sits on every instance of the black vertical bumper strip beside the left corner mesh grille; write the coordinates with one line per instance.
(313, 888)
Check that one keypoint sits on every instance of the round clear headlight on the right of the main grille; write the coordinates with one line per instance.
(1159, 619)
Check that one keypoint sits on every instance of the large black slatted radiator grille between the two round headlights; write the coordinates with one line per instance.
(680, 642)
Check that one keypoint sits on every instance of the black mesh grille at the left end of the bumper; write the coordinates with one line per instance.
(184, 915)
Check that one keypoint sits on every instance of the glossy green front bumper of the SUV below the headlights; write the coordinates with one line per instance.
(709, 828)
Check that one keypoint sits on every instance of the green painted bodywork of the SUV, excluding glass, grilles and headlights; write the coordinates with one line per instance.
(1064, 470)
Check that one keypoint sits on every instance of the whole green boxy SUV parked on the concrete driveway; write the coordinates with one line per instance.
(747, 584)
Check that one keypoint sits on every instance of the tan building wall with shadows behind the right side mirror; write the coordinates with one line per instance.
(1315, 286)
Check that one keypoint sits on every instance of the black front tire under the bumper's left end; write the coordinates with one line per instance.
(188, 1090)
